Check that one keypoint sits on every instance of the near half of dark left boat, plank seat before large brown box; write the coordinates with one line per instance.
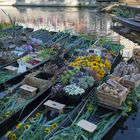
(26, 95)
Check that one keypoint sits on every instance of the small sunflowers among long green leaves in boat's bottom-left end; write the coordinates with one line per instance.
(34, 128)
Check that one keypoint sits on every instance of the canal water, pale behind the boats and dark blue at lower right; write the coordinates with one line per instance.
(86, 21)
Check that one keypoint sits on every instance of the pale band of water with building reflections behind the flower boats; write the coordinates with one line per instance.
(79, 20)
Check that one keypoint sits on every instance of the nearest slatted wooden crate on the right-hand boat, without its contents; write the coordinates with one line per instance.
(111, 100)
